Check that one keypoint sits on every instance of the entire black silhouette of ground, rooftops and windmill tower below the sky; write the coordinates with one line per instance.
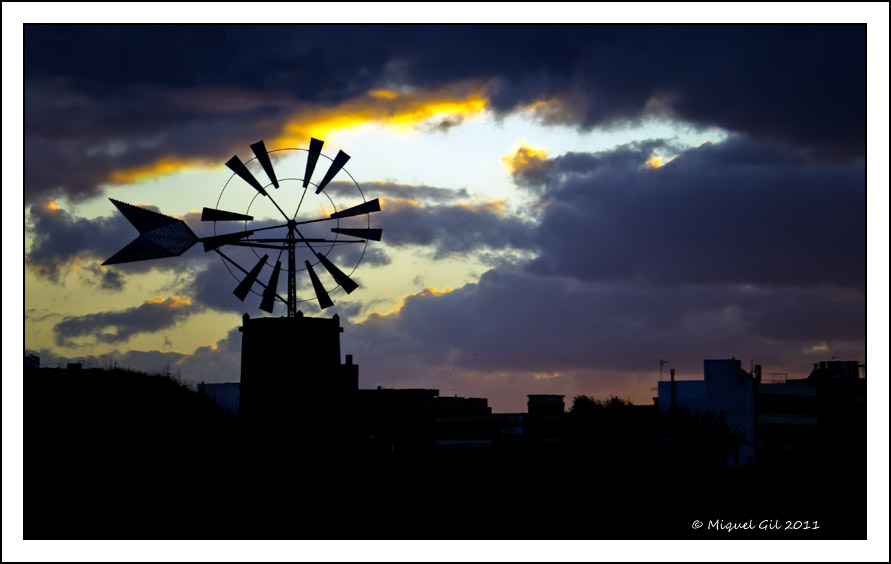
(313, 455)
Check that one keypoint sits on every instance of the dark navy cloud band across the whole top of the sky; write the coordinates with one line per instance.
(199, 91)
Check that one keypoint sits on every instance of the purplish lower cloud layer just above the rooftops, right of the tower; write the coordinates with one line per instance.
(513, 325)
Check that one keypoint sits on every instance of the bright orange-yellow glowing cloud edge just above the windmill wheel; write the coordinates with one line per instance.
(394, 110)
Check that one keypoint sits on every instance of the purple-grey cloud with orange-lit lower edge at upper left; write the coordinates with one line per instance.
(78, 140)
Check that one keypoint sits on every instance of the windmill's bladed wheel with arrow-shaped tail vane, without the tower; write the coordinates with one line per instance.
(162, 236)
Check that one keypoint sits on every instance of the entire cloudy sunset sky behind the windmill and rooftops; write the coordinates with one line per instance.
(562, 206)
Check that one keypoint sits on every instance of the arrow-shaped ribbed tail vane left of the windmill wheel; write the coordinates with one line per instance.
(160, 236)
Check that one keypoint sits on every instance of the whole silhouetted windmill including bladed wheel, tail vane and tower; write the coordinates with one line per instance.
(291, 365)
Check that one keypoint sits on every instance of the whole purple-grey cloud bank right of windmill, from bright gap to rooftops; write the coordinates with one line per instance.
(742, 249)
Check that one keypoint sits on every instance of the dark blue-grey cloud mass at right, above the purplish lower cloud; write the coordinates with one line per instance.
(735, 212)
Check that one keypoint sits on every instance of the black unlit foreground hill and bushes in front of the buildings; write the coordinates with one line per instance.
(119, 455)
